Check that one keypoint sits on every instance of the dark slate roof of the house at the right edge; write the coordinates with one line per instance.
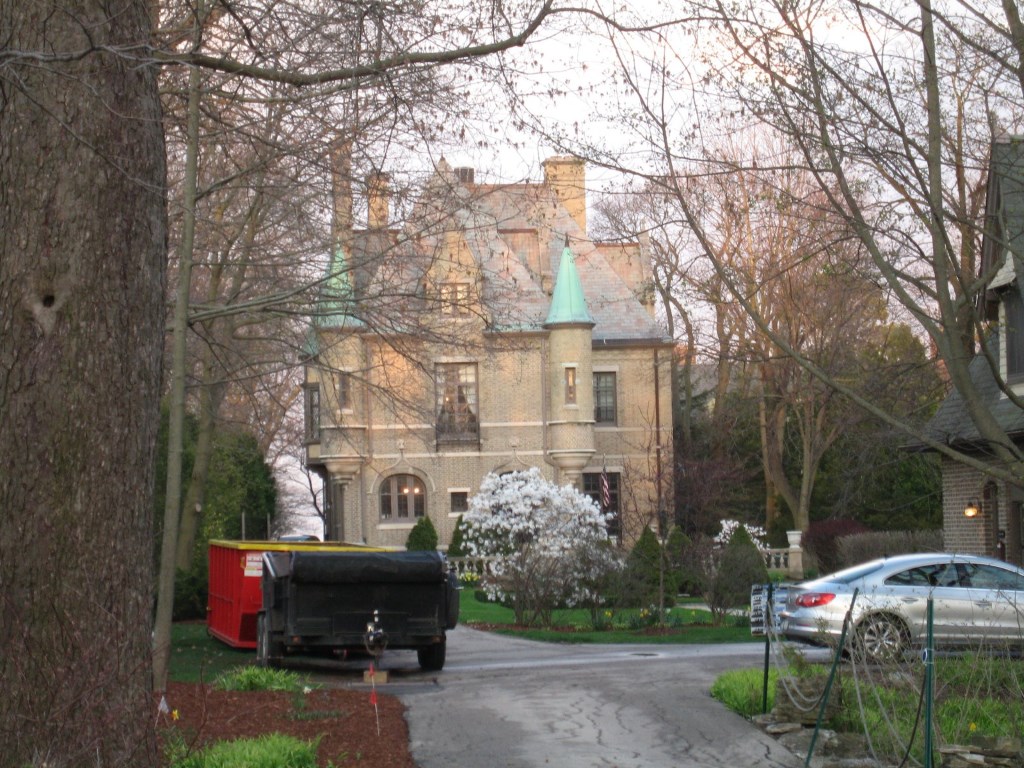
(1003, 250)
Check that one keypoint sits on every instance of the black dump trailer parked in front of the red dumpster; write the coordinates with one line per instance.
(337, 603)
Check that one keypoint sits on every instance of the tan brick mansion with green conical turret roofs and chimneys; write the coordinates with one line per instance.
(513, 340)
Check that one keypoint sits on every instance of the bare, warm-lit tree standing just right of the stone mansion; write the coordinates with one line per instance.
(802, 271)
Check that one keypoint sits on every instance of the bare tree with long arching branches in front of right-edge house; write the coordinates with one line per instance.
(891, 111)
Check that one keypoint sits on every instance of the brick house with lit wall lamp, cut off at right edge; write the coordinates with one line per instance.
(983, 516)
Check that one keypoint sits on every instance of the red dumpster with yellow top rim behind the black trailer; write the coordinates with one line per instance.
(236, 595)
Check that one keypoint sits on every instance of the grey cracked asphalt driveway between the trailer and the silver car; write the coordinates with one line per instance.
(505, 703)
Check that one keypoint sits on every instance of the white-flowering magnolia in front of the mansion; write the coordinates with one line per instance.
(548, 545)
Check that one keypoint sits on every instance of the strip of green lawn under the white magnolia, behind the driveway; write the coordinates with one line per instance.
(685, 625)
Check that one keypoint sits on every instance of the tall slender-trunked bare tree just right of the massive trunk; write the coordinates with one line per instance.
(255, 145)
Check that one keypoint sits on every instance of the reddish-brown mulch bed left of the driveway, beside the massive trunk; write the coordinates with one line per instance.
(345, 721)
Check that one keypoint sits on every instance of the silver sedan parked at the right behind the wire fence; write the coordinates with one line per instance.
(978, 602)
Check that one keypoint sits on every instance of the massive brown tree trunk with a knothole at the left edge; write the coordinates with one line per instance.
(82, 252)
